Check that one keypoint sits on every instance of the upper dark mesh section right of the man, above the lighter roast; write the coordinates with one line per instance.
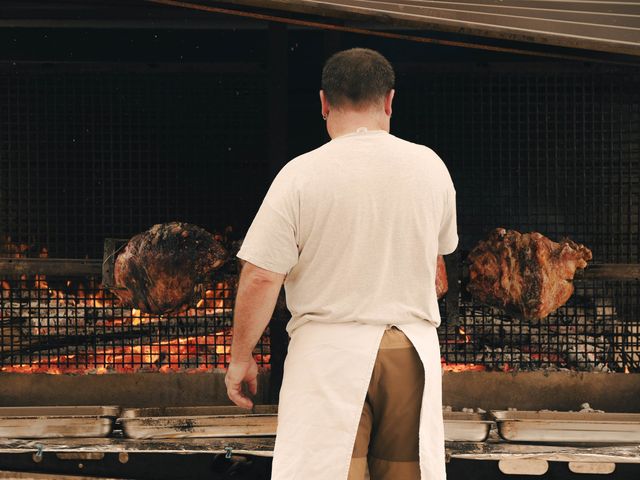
(536, 148)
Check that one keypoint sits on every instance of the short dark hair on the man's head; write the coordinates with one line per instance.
(358, 76)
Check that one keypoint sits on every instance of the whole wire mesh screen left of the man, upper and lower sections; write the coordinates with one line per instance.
(89, 152)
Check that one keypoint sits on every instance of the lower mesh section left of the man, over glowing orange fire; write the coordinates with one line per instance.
(71, 325)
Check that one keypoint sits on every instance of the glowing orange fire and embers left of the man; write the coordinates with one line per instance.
(189, 352)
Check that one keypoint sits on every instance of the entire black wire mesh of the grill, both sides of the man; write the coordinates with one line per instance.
(87, 155)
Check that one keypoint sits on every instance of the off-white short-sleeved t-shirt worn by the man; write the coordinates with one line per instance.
(356, 225)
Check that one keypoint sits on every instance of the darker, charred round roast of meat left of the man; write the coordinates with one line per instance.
(159, 271)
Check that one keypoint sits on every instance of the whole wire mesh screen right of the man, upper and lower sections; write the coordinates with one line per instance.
(549, 150)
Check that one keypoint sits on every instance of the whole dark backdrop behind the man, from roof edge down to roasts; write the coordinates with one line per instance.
(104, 132)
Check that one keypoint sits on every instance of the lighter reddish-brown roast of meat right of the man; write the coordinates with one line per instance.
(527, 274)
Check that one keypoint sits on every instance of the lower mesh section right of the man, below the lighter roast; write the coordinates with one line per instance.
(588, 333)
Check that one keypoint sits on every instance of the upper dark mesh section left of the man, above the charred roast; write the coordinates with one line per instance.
(88, 155)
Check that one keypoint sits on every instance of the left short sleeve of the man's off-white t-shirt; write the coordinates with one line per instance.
(271, 242)
